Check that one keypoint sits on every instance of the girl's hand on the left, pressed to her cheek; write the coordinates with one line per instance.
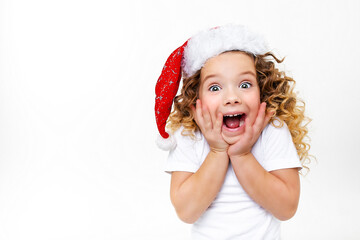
(210, 127)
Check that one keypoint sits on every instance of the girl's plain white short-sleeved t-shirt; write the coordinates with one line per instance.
(233, 214)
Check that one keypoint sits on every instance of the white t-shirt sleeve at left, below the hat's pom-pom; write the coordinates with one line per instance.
(183, 157)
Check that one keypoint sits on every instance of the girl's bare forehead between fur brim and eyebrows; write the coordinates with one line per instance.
(234, 62)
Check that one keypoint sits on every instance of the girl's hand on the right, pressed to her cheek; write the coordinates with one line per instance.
(252, 132)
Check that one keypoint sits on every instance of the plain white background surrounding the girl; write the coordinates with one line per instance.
(77, 153)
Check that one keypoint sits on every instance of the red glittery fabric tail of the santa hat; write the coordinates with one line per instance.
(167, 87)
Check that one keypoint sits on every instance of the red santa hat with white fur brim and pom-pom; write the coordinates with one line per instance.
(191, 57)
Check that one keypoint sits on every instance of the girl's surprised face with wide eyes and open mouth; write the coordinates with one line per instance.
(228, 85)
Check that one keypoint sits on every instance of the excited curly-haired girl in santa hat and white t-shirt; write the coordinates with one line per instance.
(237, 135)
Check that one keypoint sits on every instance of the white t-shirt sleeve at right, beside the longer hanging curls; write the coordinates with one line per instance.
(279, 149)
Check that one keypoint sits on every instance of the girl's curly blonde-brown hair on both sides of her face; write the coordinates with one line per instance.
(276, 89)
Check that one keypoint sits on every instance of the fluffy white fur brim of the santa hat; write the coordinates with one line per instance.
(210, 43)
